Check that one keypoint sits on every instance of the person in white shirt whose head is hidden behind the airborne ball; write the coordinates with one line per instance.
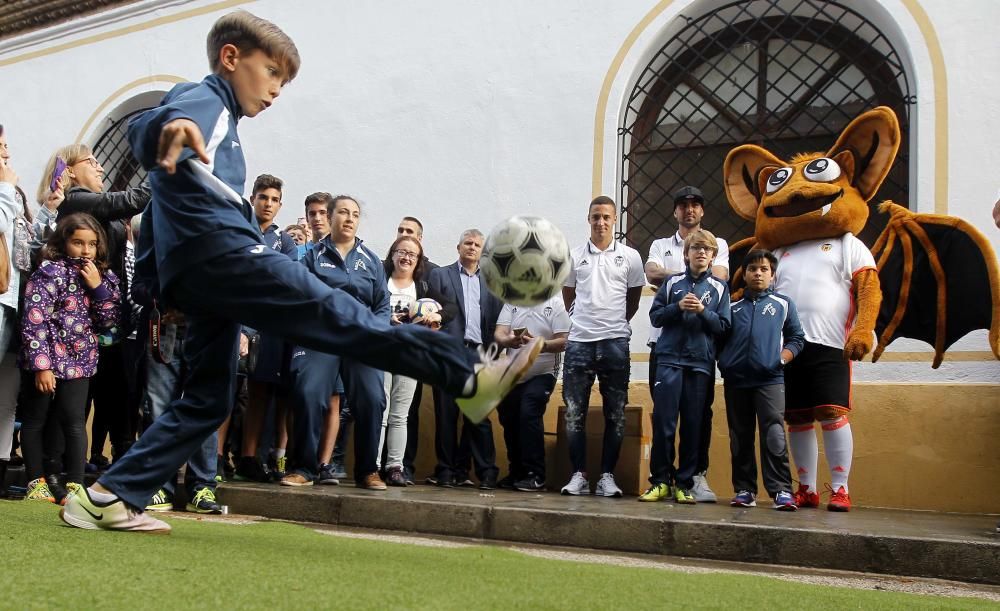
(521, 412)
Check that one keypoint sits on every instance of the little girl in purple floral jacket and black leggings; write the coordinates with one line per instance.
(70, 297)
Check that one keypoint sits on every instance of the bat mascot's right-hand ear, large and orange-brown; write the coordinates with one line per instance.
(872, 139)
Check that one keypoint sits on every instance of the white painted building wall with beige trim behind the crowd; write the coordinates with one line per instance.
(463, 113)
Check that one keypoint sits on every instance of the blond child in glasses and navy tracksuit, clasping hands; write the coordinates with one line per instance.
(692, 309)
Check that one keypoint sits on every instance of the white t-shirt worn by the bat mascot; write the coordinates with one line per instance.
(817, 276)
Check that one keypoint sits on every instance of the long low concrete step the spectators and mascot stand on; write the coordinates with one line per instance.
(958, 547)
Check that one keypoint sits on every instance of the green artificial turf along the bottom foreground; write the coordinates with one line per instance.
(206, 565)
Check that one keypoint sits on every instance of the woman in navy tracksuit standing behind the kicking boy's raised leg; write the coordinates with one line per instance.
(341, 261)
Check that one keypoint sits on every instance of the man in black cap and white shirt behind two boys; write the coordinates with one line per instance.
(666, 258)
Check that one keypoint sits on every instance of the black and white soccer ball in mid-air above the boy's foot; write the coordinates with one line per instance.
(525, 260)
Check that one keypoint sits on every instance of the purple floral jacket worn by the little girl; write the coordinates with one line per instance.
(60, 317)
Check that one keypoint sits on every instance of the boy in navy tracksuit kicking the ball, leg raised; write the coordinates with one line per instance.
(201, 248)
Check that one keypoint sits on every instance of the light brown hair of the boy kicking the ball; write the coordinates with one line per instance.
(248, 33)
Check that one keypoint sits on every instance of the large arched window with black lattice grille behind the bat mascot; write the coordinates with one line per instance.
(787, 75)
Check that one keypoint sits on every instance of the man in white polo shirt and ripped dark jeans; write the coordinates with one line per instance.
(602, 295)
